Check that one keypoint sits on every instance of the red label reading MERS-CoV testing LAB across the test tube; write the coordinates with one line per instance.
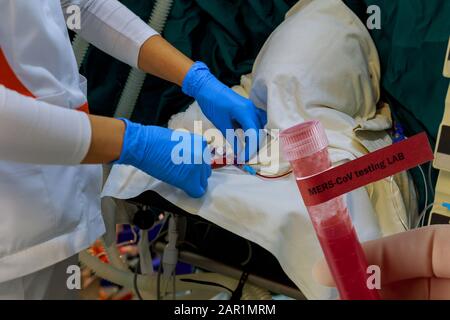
(375, 166)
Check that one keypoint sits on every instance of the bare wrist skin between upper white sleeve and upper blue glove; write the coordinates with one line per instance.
(160, 58)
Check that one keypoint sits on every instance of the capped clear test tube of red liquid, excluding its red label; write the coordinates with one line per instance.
(305, 146)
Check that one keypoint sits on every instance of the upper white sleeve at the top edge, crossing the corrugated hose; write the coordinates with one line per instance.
(111, 27)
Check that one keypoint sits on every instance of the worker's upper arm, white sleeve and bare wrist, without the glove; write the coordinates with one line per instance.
(113, 28)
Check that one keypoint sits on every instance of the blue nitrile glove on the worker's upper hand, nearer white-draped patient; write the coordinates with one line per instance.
(223, 107)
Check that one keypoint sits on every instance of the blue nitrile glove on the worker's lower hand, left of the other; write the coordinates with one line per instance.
(178, 158)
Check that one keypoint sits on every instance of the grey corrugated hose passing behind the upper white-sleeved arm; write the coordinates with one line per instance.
(136, 77)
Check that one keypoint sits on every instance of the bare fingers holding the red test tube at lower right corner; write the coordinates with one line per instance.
(415, 265)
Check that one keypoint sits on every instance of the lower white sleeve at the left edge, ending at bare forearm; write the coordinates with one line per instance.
(32, 131)
